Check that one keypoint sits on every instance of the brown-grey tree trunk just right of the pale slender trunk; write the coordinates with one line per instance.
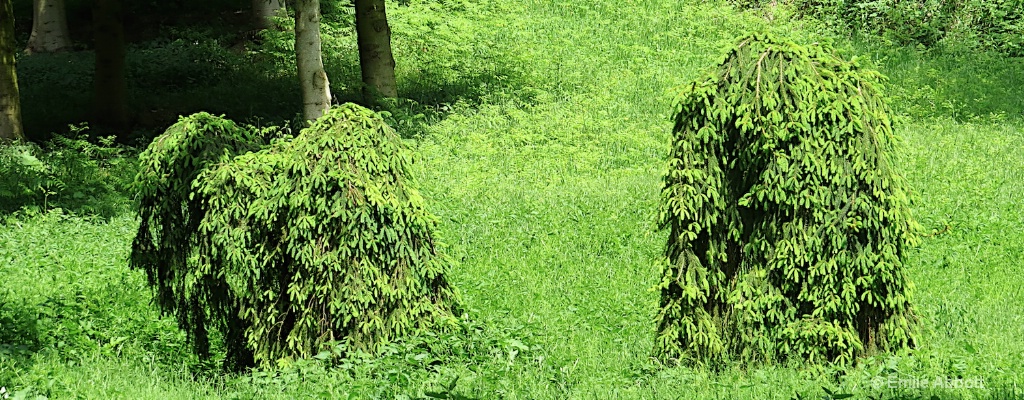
(376, 61)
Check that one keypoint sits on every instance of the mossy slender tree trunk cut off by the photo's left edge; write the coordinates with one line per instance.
(11, 104)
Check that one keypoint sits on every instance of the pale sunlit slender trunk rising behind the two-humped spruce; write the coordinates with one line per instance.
(316, 88)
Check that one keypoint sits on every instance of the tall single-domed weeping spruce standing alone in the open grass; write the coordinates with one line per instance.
(788, 219)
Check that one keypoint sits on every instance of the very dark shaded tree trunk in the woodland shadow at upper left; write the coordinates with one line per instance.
(111, 84)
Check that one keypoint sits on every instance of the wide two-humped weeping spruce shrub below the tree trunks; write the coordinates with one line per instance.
(309, 243)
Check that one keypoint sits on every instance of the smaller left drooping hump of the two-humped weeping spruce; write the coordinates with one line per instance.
(170, 217)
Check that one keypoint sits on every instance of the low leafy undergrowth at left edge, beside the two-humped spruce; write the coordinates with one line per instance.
(68, 172)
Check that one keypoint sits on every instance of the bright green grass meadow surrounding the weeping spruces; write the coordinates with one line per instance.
(546, 190)
